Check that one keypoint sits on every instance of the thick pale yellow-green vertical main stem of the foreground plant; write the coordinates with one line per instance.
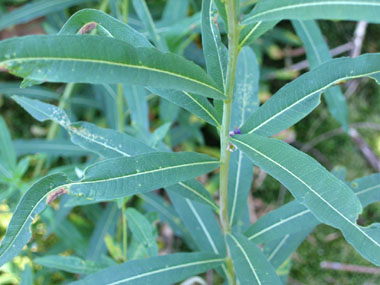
(233, 52)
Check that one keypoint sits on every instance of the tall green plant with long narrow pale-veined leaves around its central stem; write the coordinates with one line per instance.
(95, 48)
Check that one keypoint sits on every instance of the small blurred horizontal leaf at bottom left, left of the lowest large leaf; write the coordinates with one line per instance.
(72, 264)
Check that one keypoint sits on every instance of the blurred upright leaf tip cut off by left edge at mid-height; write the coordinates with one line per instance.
(7, 152)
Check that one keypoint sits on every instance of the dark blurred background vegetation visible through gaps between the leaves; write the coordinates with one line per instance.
(282, 57)
